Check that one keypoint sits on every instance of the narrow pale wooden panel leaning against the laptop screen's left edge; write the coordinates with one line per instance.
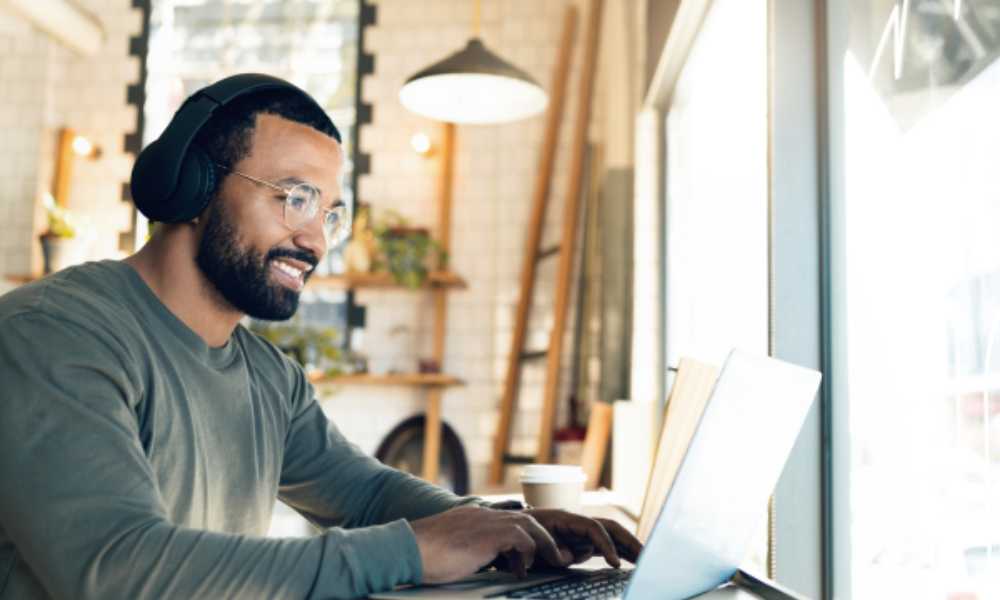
(688, 398)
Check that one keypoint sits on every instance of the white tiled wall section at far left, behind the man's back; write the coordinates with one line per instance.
(45, 86)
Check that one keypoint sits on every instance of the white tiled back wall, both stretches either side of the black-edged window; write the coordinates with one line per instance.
(46, 86)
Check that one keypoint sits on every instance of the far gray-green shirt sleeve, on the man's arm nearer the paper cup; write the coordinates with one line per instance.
(331, 482)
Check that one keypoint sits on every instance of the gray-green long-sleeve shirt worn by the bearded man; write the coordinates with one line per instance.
(138, 462)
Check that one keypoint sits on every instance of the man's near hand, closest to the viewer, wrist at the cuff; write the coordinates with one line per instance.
(458, 542)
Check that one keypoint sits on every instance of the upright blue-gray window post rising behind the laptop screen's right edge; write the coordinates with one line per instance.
(803, 526)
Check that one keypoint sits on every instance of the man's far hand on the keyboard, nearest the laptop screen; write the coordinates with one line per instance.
(583, 536)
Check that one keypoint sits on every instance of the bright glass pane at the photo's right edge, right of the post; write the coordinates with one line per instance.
(920, 315)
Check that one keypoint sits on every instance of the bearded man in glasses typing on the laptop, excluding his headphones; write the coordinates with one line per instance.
(145, 434)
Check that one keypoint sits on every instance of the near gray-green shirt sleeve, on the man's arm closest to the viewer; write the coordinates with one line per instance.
(81, 506)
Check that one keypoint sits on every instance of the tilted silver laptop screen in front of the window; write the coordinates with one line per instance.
(730, 469)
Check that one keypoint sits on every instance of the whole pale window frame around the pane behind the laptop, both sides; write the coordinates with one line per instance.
(802, 525)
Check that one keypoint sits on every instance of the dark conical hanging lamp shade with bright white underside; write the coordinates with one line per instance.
(474, 86)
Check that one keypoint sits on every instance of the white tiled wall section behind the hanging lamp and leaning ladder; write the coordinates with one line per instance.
(494, 178)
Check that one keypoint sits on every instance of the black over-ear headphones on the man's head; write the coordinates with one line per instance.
(172, 179)
